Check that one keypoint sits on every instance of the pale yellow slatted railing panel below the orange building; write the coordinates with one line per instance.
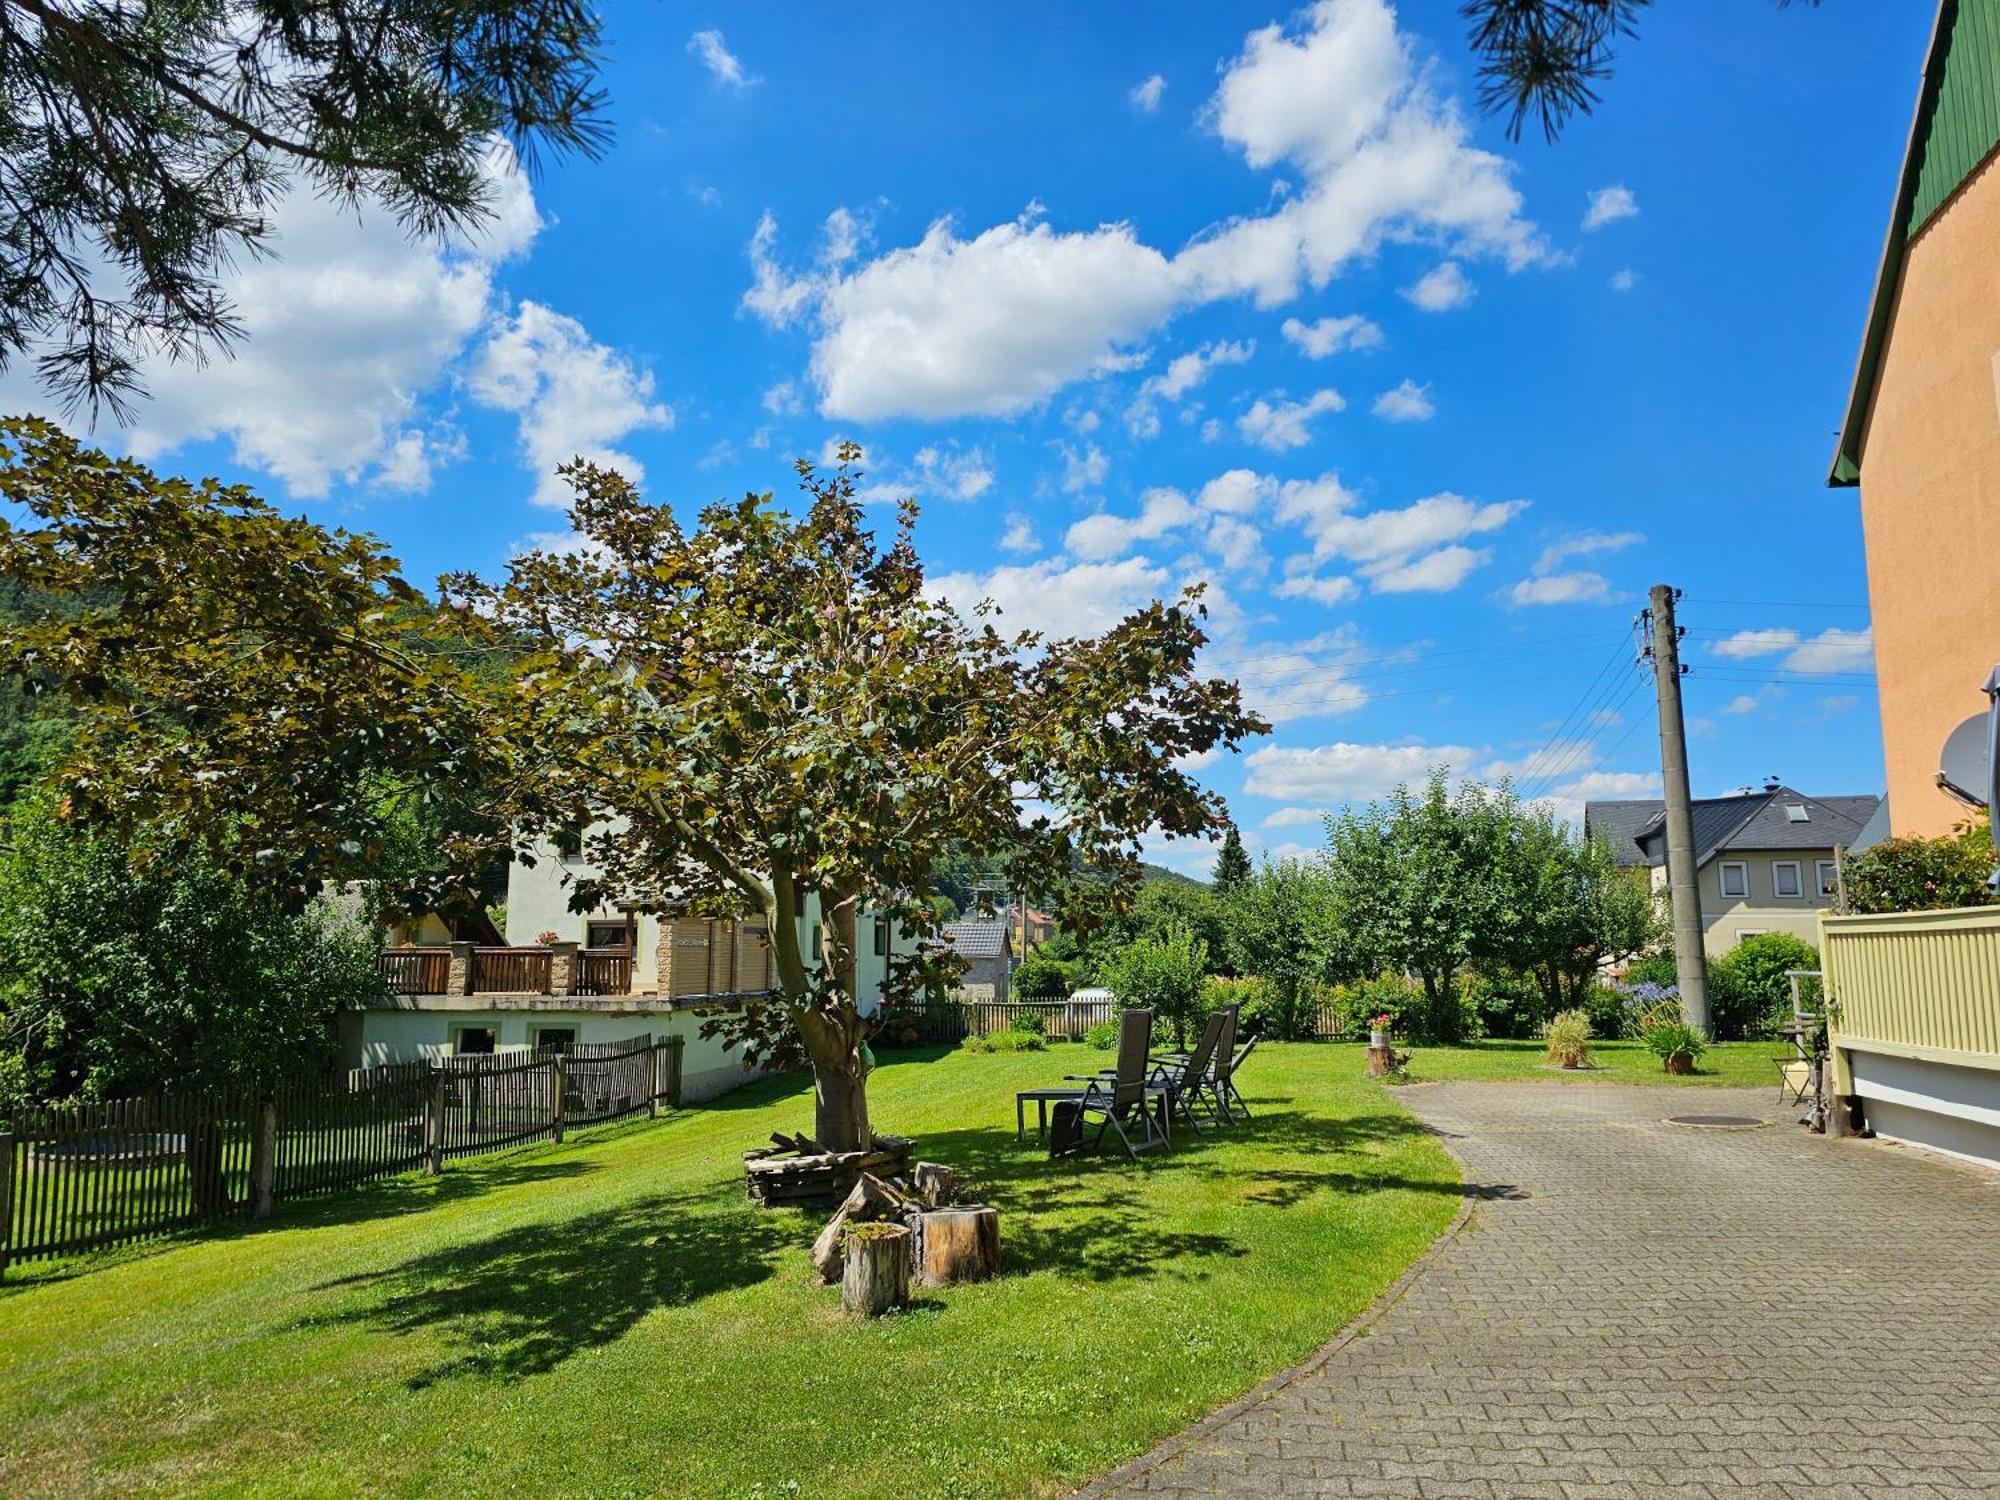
(1913, 985)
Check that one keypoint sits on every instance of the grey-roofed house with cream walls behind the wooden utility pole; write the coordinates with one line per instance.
(1765, 861)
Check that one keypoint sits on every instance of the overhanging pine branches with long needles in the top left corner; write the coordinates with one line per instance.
(143, 149)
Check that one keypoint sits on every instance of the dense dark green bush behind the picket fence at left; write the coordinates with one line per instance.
(115, 983)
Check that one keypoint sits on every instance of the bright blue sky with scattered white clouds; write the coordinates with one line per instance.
(1211, 293)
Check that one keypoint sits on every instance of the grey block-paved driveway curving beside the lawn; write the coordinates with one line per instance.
(1651, 1309)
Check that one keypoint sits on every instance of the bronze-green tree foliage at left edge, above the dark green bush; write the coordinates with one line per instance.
(243, 685)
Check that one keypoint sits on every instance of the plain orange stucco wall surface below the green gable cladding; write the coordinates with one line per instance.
(1931, 499)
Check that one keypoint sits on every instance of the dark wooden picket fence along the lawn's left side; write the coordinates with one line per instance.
(81, 1177)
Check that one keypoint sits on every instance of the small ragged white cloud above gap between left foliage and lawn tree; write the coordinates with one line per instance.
(575, 397)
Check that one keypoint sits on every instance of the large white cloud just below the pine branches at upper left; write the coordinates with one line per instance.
(345, 333)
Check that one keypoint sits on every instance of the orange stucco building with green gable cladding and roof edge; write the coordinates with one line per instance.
(1923, 427)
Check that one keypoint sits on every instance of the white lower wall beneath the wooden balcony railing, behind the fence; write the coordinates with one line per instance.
(421, 1029)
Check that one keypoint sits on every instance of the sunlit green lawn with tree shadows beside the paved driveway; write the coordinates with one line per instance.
(611, 1319)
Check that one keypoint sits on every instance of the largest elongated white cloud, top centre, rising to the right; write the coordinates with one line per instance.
(997, 323)
